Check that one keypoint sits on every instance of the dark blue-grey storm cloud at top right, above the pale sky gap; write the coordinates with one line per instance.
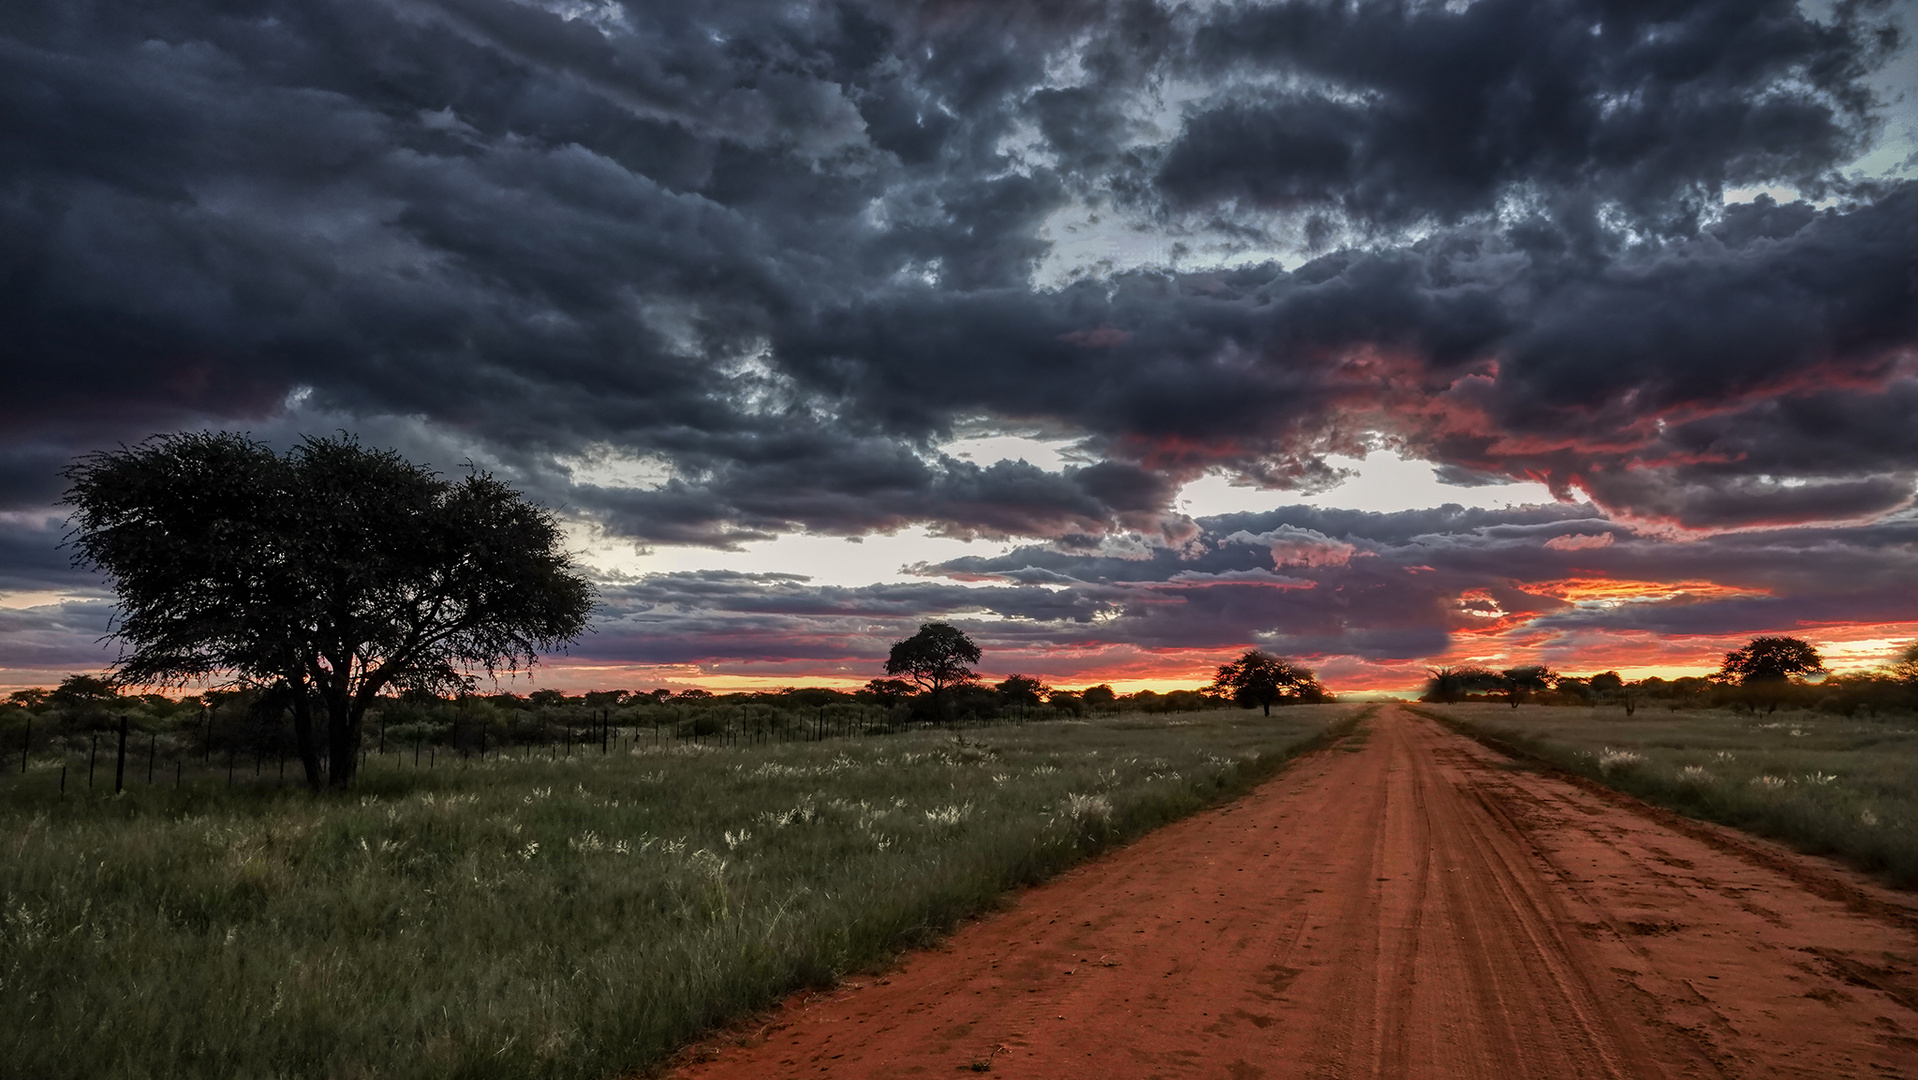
(1395, 112)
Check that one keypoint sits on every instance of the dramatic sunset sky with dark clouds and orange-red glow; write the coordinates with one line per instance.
(1121, 335)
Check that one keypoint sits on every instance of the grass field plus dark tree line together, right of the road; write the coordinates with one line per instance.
(1769, 743)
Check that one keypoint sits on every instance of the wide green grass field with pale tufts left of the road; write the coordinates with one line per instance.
(578, 918)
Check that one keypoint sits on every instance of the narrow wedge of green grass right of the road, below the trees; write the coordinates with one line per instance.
(1823, 784)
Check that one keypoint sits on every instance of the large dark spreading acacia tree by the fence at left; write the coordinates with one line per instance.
(327, 575)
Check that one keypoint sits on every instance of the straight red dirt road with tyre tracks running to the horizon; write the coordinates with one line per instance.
(1409, 904)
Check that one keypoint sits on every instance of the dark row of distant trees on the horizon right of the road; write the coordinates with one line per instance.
(1769, 672)
